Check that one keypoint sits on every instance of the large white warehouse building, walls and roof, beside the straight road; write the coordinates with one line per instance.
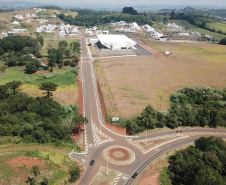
(116, 42)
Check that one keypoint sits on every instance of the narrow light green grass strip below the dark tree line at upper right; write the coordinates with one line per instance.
(200, 30)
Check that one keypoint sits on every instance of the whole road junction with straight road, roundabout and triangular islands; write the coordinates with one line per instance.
(98, 137)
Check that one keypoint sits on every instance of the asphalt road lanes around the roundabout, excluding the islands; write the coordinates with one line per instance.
(94, 150)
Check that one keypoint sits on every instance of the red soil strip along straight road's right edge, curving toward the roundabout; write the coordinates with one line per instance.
(114, 128)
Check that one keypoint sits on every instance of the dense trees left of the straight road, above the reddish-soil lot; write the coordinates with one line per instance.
(36, 120)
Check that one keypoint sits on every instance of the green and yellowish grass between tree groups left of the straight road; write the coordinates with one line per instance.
(67, 90)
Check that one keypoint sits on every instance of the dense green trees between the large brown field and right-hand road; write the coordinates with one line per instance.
(191, 106)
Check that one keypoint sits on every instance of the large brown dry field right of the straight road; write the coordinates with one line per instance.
(130, 84)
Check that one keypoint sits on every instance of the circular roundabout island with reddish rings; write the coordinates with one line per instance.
(118, 155)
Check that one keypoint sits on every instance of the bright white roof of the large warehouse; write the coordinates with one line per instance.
(115, 39)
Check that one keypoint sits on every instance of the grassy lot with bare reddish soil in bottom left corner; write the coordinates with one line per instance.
(15, 166)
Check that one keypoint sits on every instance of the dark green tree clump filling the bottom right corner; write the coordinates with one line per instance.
(204, 163)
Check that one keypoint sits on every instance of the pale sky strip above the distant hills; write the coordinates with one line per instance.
(134, 2)
